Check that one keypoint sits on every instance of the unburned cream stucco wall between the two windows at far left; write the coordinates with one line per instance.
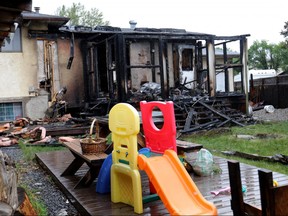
(18, 74)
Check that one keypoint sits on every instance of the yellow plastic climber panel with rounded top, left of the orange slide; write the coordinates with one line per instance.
(125, 177)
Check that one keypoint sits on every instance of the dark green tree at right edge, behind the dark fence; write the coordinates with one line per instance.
(262, 55)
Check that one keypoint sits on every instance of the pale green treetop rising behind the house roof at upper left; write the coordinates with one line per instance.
(80, 16)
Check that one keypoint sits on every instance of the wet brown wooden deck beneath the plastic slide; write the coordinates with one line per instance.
(88, 202)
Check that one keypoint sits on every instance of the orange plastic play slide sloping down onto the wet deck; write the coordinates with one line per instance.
(174, 185)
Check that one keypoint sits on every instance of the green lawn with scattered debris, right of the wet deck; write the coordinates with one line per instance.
(220, 140)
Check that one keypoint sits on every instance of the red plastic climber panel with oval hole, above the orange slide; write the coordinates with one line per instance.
(159, 140)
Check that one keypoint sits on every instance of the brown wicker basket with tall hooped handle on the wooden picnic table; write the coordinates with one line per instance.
(93, 146)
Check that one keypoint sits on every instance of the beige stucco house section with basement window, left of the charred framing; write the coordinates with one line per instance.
(33, 67)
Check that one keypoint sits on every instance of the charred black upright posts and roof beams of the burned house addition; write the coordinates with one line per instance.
(111, 57)
